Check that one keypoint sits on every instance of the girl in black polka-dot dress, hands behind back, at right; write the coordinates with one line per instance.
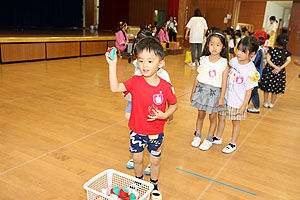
(274, 77)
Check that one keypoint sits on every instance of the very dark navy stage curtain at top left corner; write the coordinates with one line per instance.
(41, 13)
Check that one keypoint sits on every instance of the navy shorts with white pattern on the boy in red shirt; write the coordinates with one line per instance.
(154, 143)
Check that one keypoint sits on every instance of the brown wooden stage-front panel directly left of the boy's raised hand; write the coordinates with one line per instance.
(93, 48)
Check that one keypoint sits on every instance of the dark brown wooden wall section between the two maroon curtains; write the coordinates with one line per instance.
(141, 13)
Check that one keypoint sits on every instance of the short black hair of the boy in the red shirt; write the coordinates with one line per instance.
(150, 44)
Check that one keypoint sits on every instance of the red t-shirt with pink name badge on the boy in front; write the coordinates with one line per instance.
(144, 98)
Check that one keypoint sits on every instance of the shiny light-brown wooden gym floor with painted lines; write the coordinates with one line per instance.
(60, 125)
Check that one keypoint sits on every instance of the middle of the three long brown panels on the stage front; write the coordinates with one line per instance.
(63, 49)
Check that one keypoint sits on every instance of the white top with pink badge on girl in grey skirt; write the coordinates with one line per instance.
(211, 73)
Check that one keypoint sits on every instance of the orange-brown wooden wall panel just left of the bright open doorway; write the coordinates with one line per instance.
(252, 12)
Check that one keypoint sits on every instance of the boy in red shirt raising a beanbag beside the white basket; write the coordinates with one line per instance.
(149, 97)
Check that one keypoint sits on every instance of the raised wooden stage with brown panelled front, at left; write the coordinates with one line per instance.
(41, 44)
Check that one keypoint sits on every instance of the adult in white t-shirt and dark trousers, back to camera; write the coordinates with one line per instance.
(196, 29)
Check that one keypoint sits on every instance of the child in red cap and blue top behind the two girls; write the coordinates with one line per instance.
(258, 60)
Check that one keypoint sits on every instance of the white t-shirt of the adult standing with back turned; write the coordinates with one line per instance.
(197, 25)
